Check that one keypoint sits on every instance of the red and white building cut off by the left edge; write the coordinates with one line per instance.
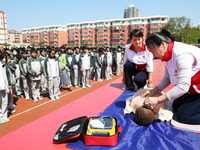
(3, 27)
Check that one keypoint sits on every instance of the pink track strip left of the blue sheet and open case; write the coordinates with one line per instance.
(39, 134)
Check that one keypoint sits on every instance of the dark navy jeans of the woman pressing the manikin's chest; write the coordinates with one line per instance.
(187, 108)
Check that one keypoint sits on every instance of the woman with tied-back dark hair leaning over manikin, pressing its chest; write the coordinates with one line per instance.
(182, 69)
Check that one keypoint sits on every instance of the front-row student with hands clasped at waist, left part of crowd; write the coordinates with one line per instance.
(34, 68)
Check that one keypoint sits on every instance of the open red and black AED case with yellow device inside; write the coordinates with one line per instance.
(93, 131)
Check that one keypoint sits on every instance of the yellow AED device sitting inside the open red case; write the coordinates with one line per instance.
(101, 126)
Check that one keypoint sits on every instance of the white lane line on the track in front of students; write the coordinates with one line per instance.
(47, 102)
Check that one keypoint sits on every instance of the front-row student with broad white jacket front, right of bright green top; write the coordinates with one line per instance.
(84, 64)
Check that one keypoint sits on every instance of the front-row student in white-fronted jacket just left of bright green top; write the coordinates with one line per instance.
(52, 73)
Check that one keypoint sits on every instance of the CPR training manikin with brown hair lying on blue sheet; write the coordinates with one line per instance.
(143, 115)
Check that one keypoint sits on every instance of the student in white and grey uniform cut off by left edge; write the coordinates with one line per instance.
(4, 89)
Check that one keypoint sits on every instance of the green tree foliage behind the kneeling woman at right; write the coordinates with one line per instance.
(182, 30)
